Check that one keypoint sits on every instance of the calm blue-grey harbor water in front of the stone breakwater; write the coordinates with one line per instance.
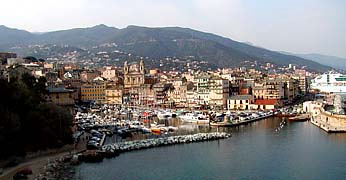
(260, 150)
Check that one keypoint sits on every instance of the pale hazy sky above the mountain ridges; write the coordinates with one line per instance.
(300, 26)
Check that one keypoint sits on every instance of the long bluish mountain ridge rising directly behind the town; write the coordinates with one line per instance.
(158, 43)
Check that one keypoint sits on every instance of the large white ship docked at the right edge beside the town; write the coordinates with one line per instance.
(330, 83)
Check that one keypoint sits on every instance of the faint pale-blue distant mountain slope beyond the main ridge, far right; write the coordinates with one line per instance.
(332, 61)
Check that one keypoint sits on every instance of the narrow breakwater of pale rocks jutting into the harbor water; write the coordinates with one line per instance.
(116, 148)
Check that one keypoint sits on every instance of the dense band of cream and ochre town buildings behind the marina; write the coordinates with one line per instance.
(134, 84)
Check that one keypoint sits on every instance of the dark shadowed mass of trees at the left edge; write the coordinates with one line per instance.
(27, 122)
